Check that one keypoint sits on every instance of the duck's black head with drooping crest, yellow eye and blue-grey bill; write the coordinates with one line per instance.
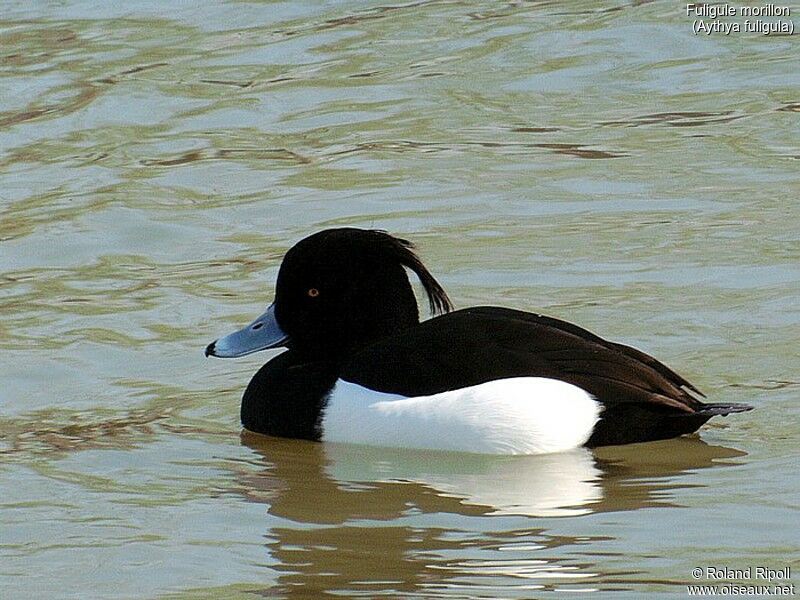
(338, 290)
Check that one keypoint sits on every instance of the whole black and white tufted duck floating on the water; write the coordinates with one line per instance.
(360, 367)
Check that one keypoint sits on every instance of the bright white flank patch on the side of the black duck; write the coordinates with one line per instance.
(522, 415)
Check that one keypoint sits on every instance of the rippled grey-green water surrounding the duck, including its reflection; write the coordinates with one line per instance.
(594, 161)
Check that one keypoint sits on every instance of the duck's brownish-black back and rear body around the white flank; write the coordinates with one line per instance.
(477, 345)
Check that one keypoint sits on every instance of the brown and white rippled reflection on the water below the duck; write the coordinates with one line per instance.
(378, 521)
